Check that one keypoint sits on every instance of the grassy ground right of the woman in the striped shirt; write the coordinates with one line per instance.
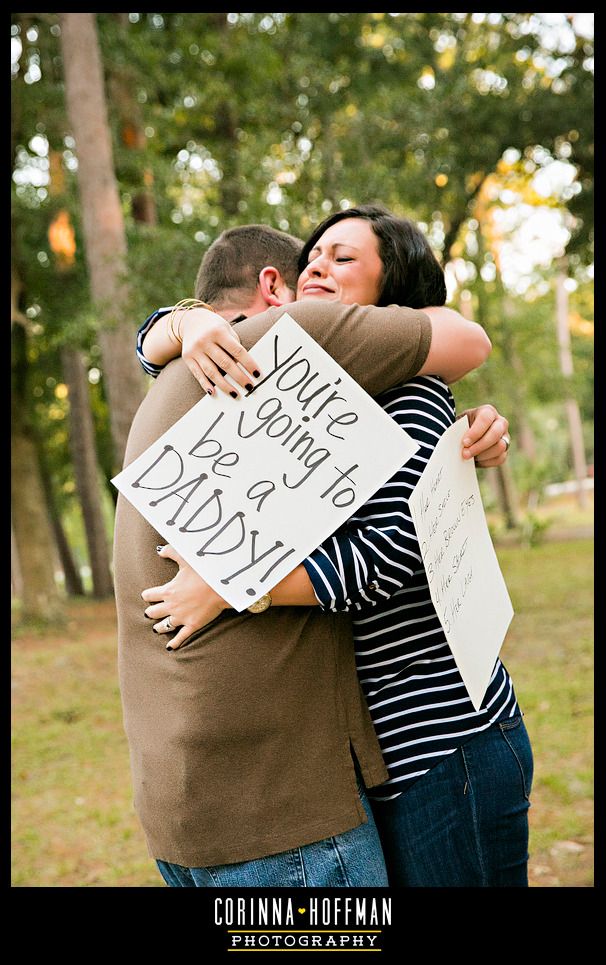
(549, 652)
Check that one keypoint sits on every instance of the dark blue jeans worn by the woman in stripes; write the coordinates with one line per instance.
(465, 822)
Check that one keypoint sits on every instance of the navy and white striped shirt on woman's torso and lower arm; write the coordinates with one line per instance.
(372, 568)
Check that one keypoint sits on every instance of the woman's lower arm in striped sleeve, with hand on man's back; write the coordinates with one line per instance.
(367, 560)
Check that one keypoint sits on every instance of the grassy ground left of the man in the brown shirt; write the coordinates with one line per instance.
(73, 820)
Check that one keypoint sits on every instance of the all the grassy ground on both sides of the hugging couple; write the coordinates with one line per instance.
(73, 820)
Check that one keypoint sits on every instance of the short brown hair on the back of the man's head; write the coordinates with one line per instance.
(230, 268)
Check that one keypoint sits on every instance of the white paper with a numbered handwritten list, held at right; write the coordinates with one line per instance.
(466, 584)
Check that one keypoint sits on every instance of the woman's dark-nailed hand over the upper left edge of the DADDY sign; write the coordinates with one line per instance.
(211, 348)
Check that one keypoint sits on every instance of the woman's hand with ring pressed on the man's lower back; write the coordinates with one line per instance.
(187, 600)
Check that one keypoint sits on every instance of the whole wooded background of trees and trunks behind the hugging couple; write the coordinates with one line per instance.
(136, 138)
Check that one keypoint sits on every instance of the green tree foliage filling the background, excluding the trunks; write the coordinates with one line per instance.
(283, 118)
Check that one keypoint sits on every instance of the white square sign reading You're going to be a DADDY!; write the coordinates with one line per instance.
(244, 489)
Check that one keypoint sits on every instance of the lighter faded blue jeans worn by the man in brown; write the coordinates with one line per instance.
(350, 860)
